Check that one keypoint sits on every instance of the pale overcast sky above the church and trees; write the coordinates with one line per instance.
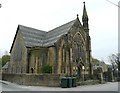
(48, 14)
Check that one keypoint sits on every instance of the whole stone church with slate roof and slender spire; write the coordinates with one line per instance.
(67, 49)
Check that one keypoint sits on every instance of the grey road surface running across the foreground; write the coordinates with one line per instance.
(7, 86)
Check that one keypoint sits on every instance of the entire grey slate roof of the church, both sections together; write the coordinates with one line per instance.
(34, 37)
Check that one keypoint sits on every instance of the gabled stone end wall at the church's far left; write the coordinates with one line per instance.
(18, 60)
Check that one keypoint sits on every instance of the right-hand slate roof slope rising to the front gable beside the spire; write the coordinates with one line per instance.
(54, 35)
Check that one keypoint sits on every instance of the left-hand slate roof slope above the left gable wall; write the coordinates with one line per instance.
(31, 36)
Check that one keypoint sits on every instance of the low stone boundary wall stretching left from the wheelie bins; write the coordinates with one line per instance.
(51, 80)
